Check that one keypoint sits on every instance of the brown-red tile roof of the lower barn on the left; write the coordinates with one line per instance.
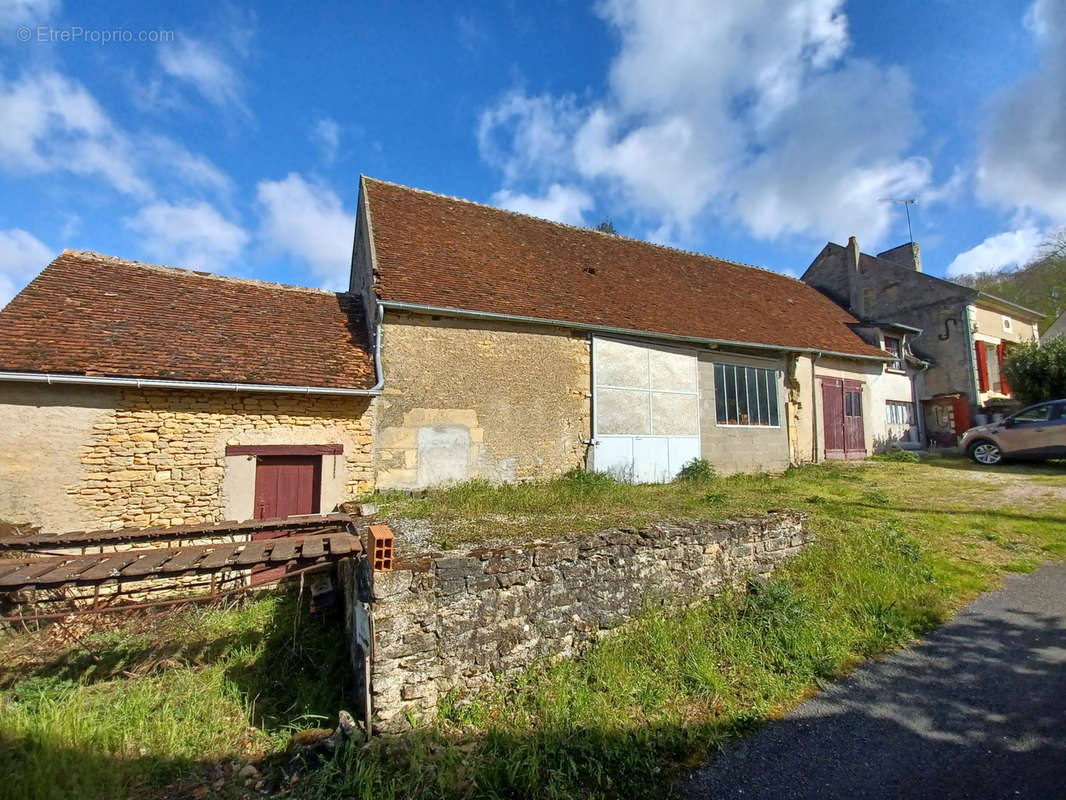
(95, 315)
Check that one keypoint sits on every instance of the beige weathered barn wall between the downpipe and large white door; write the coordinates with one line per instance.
(465, 399)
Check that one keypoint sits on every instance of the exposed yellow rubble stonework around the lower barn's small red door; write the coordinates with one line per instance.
(159, 457)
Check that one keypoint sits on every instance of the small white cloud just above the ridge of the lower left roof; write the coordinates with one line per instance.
(193, 235)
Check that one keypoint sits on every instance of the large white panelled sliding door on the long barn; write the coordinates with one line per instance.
(647, 410)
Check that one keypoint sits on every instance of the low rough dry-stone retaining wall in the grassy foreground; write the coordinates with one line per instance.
(459, 620)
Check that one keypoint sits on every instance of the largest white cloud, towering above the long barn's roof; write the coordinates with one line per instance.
(753, 113)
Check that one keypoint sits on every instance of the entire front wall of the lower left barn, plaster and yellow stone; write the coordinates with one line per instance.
(75, 458)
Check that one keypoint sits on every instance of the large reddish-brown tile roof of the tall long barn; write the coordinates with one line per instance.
(439, 251)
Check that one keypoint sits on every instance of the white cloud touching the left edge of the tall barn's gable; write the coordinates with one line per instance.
(310, 222)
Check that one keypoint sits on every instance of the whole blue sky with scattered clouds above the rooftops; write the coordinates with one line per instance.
(754, 132)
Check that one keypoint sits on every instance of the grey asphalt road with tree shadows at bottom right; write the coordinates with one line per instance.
(978, 711)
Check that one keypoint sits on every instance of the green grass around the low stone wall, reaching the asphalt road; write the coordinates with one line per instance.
(172, 705)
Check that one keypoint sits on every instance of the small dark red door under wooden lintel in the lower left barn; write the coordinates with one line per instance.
(286, 486)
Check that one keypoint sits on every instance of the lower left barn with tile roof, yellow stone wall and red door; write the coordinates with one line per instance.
(135, 395)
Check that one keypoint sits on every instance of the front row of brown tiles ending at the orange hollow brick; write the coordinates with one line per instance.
(153, 564)
